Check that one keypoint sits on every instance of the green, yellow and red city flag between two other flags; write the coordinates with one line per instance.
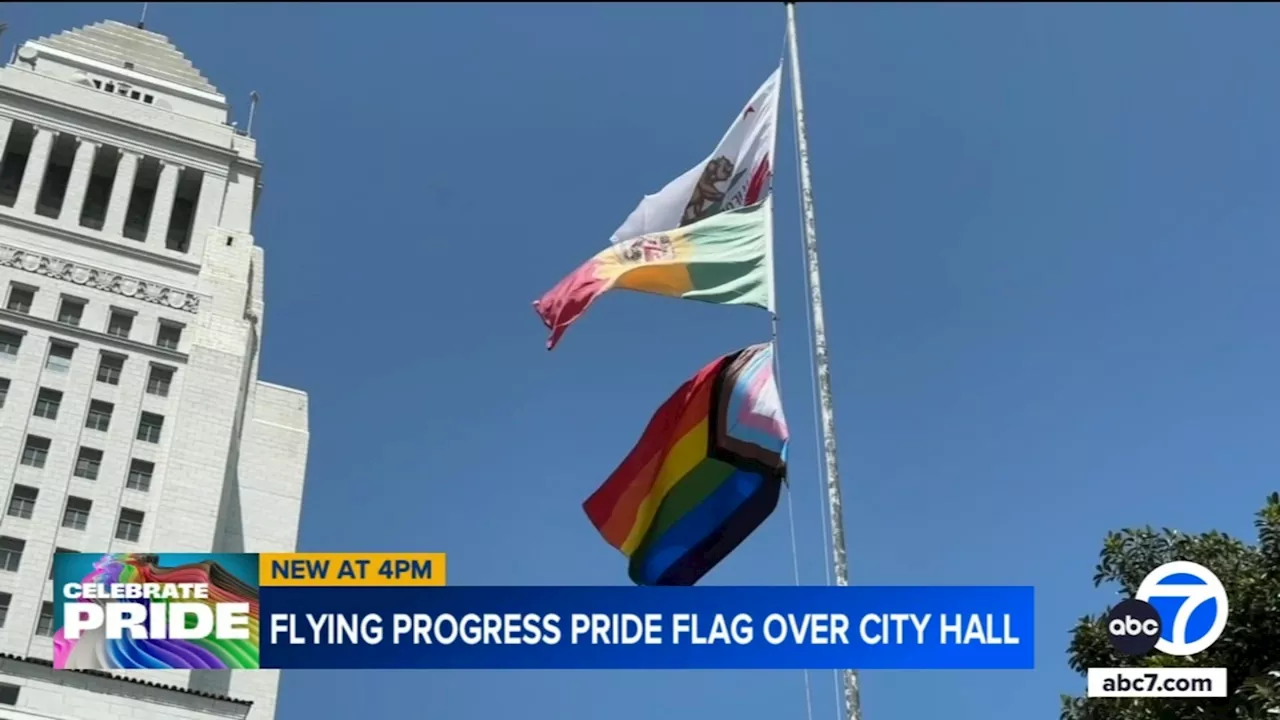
(723, 259)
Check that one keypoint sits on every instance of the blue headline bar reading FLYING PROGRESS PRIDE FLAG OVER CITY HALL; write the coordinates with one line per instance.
(647, 628)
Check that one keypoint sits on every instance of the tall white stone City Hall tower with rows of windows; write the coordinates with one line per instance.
(131, 320)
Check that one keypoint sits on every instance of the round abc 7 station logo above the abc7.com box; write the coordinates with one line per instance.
(1136, 627)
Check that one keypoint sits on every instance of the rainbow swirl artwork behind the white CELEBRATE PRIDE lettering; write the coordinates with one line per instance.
(94, 651)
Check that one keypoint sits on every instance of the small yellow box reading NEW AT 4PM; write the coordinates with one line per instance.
(351, 569)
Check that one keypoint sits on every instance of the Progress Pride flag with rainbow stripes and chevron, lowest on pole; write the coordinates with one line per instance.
(706, 473)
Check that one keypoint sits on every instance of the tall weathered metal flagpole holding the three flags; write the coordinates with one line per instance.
(840, 560)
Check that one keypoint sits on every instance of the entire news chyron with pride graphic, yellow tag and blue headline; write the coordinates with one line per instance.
(356, 612)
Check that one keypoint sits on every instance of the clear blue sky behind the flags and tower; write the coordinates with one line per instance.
(1050, 250)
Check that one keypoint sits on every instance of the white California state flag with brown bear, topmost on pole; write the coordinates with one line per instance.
(735, 176)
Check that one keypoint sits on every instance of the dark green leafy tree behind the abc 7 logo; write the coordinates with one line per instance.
(1250, 648)
